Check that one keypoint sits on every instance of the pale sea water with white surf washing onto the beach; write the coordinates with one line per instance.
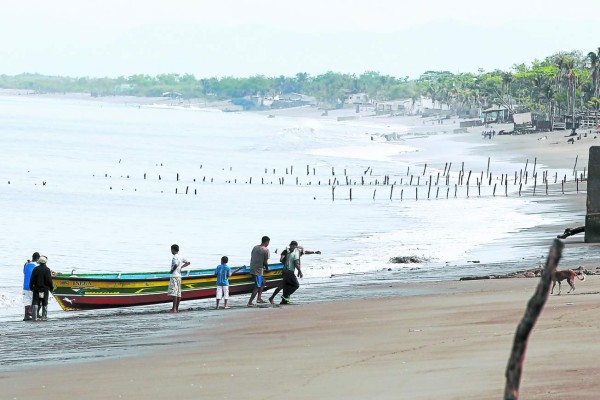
(103, 187)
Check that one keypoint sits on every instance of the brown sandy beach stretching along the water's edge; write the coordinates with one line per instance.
(429, 340)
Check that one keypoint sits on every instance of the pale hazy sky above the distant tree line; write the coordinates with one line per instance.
(281, 37)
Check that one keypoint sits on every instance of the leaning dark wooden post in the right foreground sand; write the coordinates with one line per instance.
(532, 312)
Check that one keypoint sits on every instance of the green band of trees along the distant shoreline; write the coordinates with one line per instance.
(562, 83)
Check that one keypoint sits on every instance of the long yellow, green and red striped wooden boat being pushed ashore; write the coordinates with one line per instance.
(110, 290)
